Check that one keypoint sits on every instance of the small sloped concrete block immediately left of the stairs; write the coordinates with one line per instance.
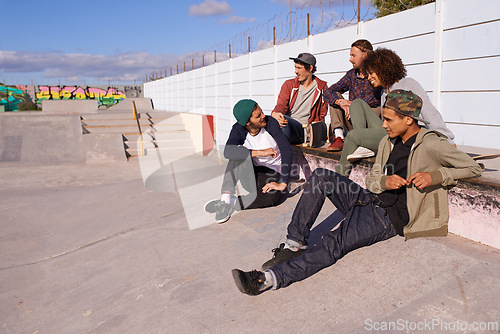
(103, 146)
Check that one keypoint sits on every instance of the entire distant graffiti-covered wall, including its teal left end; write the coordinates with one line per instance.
(12, 96)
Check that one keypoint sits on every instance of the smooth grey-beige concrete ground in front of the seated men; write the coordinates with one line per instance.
(87, 249)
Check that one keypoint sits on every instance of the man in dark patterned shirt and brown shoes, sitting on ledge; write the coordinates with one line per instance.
(358, 87)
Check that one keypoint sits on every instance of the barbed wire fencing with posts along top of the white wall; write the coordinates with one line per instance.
(311, 18)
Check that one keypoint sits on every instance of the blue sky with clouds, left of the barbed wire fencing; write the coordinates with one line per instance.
(96, 42)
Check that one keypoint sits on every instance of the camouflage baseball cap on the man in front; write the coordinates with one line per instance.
(406, 103)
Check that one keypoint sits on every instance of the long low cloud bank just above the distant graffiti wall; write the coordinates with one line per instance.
(67, 67)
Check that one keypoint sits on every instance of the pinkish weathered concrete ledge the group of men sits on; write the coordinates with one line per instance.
(474, 204)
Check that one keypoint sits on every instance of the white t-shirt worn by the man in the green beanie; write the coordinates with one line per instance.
(261, 141)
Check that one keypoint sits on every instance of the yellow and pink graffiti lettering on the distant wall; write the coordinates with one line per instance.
(104, 97)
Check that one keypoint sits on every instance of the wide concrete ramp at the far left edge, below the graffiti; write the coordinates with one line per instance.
(37, 138)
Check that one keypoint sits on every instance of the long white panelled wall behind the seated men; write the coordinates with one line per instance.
(451, 47)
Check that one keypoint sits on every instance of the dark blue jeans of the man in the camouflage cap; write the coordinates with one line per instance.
(364, 224)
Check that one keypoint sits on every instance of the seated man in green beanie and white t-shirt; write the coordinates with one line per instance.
(260, 157)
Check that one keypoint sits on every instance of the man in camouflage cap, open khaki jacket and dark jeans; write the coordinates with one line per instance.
(406, 195)
